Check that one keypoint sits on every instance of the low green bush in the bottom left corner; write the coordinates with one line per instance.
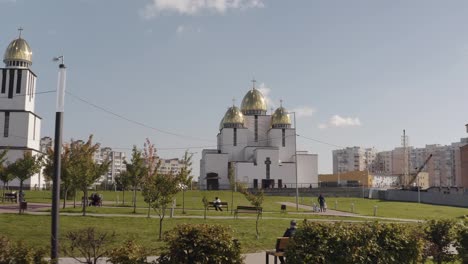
(20, 253)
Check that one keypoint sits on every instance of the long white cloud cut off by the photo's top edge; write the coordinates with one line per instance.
(193, 7)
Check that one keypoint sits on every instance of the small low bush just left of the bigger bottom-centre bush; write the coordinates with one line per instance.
(129, 253)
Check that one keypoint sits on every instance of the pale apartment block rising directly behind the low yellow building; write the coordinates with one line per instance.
(354, 159)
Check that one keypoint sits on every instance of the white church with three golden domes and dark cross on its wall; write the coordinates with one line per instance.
(261, 149)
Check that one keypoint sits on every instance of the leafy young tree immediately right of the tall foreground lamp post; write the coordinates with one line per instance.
(82, 168)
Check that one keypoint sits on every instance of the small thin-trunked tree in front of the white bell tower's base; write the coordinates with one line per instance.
(26, 167)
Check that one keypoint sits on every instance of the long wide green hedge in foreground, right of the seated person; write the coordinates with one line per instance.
(354, 243)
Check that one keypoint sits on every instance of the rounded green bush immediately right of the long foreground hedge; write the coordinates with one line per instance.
(440, 235)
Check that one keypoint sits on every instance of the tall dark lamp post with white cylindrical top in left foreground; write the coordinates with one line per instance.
(57, 158)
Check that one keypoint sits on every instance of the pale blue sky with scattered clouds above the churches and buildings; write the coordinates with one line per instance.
(355, 72)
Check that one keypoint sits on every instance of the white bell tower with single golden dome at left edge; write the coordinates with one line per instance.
(20, 126)
